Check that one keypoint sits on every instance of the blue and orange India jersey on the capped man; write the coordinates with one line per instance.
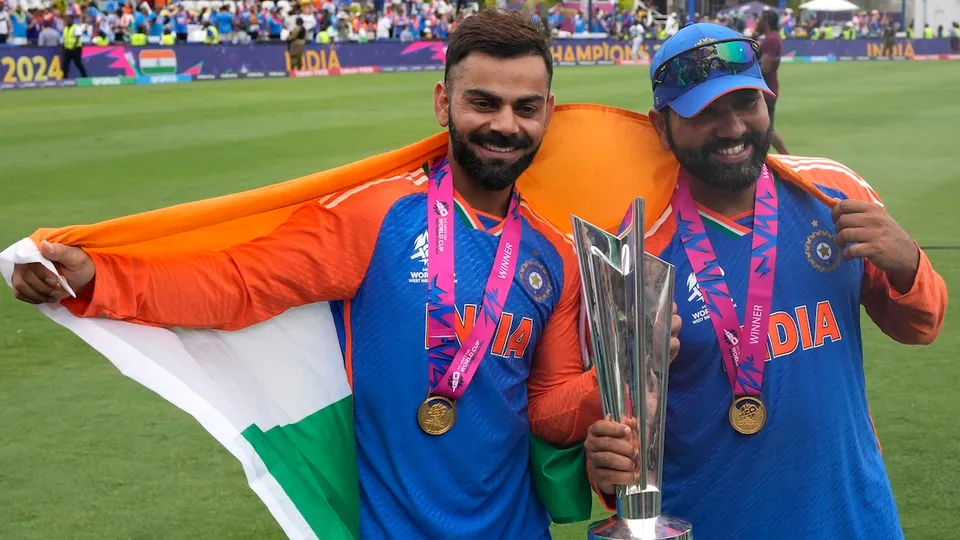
(815, 470)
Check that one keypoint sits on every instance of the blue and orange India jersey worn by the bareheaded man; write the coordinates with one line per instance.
(365, 251)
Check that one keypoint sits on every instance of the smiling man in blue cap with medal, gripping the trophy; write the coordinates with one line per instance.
(768, 431)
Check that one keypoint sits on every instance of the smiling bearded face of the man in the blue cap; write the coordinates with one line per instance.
(723, 146)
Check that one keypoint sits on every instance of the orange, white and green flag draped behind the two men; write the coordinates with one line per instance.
(277, 395)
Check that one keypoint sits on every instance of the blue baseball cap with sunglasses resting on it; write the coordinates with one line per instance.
(689, 99)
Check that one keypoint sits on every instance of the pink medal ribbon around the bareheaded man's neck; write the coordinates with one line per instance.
(452, 367)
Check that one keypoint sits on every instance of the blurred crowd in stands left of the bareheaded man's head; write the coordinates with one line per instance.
(235, 21)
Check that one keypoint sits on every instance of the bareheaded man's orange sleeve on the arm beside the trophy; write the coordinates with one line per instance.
(564, 400)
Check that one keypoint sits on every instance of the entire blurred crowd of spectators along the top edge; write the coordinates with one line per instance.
(103, 22)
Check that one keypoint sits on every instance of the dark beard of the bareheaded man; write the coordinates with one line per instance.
(491, 174)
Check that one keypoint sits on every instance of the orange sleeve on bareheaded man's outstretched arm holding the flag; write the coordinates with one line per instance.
(320, 253)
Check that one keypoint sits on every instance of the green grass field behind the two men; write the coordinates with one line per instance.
(87, 453)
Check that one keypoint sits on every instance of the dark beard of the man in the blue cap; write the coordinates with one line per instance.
(729, 177)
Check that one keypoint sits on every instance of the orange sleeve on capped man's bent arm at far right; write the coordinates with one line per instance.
(914, 317)
